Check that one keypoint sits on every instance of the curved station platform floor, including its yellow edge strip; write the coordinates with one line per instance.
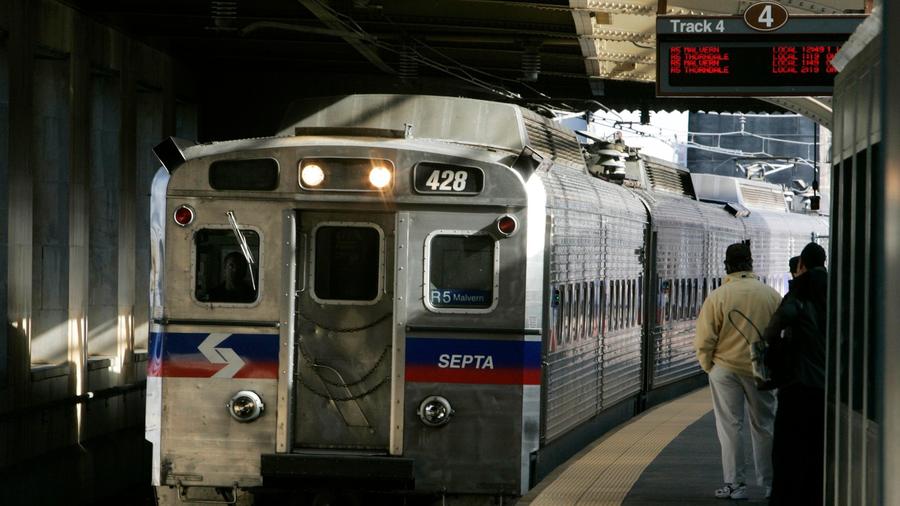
(668, 455)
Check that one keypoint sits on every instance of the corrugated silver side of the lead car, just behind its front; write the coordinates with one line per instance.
(596, 235)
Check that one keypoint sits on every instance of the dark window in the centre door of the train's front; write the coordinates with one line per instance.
(347, 265)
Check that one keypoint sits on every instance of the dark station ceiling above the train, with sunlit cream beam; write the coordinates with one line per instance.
(548, 51)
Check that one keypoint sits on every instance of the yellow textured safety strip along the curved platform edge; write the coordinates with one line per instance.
(605, 474)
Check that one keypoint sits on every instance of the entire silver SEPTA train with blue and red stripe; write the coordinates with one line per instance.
(423, 295)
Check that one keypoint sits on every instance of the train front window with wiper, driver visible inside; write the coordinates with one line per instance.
(222, 273)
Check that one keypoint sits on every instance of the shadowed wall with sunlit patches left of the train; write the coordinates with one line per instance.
(80, 107)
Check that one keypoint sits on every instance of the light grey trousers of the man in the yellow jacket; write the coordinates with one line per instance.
(730, 391)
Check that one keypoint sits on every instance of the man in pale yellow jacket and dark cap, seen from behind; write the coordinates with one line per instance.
(732, 316)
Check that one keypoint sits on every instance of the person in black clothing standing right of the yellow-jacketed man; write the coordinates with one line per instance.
(796, 336)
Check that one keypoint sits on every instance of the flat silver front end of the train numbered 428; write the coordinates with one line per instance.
(338, 311)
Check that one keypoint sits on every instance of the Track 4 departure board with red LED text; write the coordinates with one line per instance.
(722, 56)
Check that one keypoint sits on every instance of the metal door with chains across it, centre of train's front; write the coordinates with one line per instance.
(344, 330)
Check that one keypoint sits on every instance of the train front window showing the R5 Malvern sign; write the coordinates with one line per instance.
(461, 273)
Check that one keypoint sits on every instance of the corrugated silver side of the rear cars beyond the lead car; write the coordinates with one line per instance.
(691, 241)
